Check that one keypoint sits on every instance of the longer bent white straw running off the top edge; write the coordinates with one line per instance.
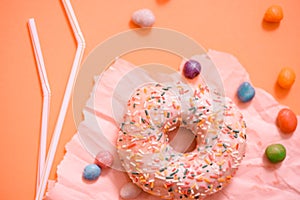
(59, 124)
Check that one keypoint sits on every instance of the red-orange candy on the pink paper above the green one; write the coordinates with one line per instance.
(286, 120)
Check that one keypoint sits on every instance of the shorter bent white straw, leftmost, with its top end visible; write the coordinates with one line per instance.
(46, 97)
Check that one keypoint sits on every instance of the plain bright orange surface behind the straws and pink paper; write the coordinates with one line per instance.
(232, 26)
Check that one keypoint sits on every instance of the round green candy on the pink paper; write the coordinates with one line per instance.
(275, 153)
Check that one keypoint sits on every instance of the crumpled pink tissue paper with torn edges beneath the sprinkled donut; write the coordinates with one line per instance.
(255, 179)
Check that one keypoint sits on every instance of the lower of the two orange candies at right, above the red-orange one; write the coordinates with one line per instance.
(286, 78)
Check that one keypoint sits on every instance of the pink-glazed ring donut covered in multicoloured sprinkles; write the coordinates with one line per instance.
(144, 148)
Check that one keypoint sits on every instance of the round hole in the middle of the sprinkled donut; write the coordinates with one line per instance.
(182, 140)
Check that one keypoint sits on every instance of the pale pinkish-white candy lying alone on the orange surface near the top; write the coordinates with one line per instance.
(143, 18)
